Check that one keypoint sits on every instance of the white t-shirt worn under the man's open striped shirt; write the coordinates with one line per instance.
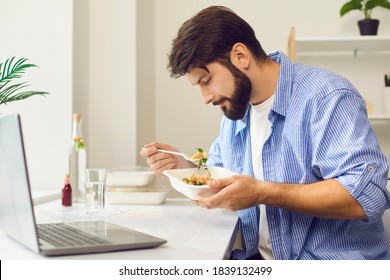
(260, 130)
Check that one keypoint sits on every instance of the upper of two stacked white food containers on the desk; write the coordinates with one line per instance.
(129, 177)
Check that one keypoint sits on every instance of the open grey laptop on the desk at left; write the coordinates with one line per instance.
(53, 239)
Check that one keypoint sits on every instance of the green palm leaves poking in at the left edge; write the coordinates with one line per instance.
(10, 90)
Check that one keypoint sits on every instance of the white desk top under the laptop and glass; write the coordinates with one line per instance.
(192, 232)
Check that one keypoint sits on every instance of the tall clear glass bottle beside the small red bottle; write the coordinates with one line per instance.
(77, 160)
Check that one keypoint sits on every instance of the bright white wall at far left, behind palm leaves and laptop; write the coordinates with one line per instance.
(41, 31)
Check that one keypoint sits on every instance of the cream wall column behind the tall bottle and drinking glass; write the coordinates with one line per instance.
(106, 90)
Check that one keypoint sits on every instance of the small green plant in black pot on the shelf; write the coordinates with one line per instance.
(368, 25)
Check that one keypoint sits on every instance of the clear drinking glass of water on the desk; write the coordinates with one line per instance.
(94, 190)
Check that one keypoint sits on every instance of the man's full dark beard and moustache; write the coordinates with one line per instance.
(241, 95)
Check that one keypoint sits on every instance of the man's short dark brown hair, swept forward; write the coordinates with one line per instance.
(209, 37)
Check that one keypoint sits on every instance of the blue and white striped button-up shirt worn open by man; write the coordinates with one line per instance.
(320, 130)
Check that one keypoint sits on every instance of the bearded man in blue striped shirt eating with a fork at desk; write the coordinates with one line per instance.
(313, 178)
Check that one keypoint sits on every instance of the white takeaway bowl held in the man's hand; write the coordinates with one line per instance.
(176, 177)
